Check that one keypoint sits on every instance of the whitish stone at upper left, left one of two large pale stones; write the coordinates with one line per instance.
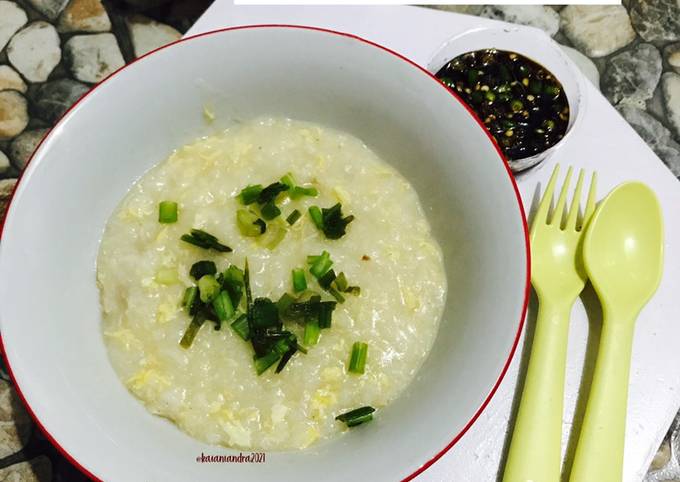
(35, 51)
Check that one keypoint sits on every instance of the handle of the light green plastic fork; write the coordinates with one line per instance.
(535, 448)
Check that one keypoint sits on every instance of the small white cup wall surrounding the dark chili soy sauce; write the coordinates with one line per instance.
(534, 44)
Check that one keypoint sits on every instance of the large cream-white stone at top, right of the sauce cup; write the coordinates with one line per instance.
(597, 30)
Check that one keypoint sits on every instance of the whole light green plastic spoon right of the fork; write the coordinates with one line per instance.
(623, 256)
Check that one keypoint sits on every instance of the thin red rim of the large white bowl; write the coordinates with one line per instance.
(520, 205)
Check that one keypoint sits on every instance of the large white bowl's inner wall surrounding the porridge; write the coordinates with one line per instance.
(49, 307)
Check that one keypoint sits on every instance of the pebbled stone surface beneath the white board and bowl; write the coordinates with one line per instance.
(53, 51)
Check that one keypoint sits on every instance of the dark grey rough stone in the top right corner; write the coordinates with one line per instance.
(656, 20)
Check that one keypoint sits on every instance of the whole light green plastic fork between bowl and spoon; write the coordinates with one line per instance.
(558, 277)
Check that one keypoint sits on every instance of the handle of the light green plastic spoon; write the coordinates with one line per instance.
(599, 453)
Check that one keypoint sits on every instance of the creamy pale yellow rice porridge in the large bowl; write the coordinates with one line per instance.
(210, 388)
